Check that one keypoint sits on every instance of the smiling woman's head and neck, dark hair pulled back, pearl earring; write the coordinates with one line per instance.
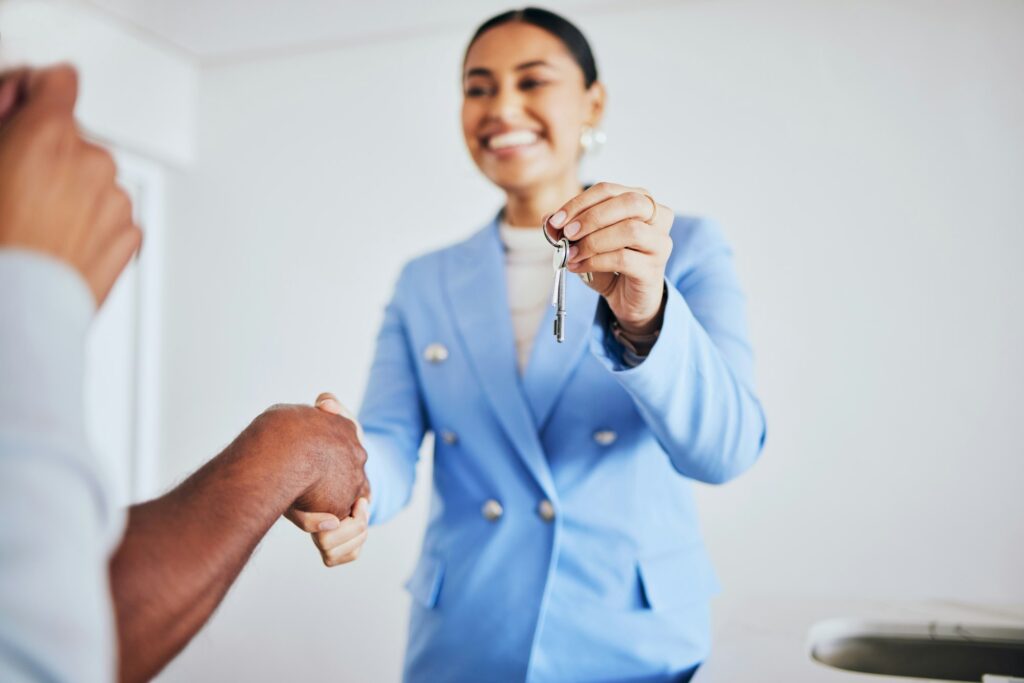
(530, 89)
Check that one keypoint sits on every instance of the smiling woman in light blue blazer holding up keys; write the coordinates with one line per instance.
(564, 542)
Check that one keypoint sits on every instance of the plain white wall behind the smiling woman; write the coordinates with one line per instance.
(867, 162)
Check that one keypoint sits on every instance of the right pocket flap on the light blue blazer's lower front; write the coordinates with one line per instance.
(677, 578)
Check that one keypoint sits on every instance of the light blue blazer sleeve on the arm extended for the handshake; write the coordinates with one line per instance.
(393, 415)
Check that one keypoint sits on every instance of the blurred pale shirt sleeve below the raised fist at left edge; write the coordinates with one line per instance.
(57, 621)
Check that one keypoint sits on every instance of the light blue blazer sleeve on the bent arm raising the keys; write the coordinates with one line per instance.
(696, 389)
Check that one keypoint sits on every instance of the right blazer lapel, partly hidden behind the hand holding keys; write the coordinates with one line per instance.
(552, 364)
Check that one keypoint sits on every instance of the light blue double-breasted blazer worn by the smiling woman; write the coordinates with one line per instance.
(564, 542)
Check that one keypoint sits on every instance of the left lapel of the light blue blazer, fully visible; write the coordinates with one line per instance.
(475, 280)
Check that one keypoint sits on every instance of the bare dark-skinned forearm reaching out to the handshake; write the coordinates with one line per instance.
(182, 552)
